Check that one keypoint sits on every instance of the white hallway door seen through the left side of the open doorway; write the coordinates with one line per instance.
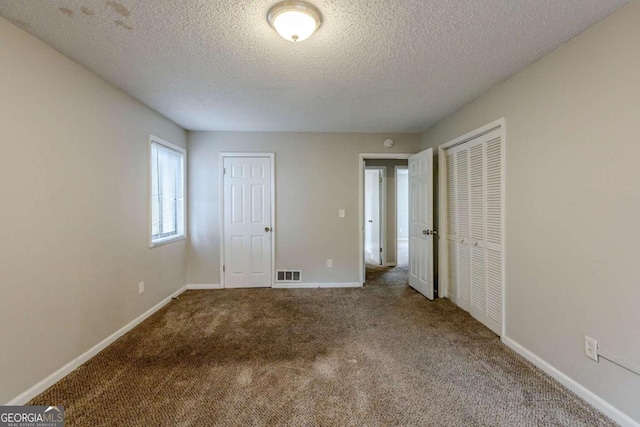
(373, 216)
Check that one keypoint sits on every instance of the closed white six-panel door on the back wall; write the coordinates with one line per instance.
(247, 222)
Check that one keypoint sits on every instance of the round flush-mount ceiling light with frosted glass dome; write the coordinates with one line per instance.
(295, 20)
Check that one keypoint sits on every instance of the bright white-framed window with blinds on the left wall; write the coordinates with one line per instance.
(167, 192)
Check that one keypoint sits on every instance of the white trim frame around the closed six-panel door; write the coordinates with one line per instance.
(271, 156)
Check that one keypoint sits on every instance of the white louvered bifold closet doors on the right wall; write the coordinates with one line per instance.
(473, 186)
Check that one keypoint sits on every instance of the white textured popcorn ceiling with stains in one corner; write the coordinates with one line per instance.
(374, 65)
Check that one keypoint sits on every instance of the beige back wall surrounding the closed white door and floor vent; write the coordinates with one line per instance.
(316, 174)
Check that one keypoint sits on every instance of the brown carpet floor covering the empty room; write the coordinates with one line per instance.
(378, 356)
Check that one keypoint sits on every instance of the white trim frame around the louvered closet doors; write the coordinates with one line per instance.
(443, 254)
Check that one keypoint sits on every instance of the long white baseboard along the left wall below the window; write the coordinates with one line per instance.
(47, 382)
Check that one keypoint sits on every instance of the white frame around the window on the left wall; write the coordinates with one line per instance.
(183, 152)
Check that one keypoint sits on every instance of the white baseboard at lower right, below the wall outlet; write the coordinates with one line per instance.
(594, 400)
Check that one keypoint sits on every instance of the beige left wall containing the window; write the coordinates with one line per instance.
(73, 229)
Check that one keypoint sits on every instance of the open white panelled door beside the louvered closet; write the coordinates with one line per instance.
(421, 232)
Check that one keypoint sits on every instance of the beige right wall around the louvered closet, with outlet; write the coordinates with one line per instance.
(573, 202)
